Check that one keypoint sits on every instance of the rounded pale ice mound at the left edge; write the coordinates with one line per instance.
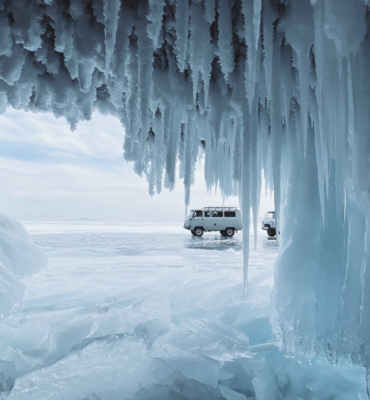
(18, 257)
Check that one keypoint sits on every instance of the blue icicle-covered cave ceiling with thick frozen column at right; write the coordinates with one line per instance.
(274, 85)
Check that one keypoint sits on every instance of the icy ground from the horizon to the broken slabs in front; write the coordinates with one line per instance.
(150, 312)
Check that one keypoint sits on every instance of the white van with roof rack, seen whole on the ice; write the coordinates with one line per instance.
(226, 220)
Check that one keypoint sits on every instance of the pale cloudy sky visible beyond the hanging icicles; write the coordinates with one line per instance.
(49, 173)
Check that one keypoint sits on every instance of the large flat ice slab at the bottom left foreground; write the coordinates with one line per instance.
(125, 358)
